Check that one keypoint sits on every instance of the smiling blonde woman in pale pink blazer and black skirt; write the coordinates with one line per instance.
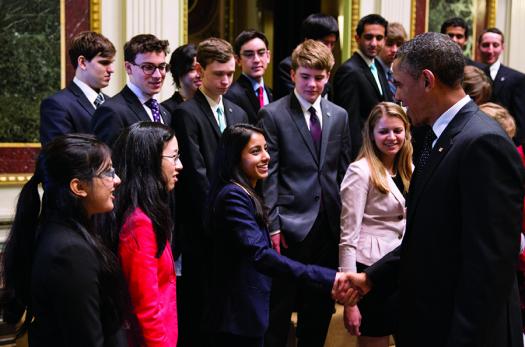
(373, 213)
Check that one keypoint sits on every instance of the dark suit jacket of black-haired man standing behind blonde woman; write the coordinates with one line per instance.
(355, 90)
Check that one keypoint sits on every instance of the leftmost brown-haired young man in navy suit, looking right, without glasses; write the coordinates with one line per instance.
(70, 110)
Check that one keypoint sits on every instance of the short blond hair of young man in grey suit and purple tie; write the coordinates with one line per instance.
(313, 55)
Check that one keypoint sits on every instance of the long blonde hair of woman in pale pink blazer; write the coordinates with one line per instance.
(369, 150)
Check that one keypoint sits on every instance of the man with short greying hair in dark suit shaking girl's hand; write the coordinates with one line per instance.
(456, 266)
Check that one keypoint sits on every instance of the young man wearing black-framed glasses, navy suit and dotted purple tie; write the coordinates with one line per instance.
(145, 62)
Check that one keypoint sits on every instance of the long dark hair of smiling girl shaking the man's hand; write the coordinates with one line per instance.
(228, 160)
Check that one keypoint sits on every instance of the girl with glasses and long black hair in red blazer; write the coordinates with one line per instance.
(146, 155)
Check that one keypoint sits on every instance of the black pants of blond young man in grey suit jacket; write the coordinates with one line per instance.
(314, 307)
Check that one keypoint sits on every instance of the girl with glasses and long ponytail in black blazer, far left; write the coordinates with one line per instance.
(55, 266)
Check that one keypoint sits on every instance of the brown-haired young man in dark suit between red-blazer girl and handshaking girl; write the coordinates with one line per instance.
(198, 124)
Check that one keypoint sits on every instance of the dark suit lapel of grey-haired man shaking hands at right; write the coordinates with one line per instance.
(441, 148)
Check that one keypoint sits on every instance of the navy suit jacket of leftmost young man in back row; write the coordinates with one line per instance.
(68, 111)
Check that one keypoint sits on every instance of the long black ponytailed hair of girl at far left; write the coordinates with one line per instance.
(63, 159)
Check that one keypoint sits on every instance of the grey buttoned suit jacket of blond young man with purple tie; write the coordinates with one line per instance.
(298, 177)
